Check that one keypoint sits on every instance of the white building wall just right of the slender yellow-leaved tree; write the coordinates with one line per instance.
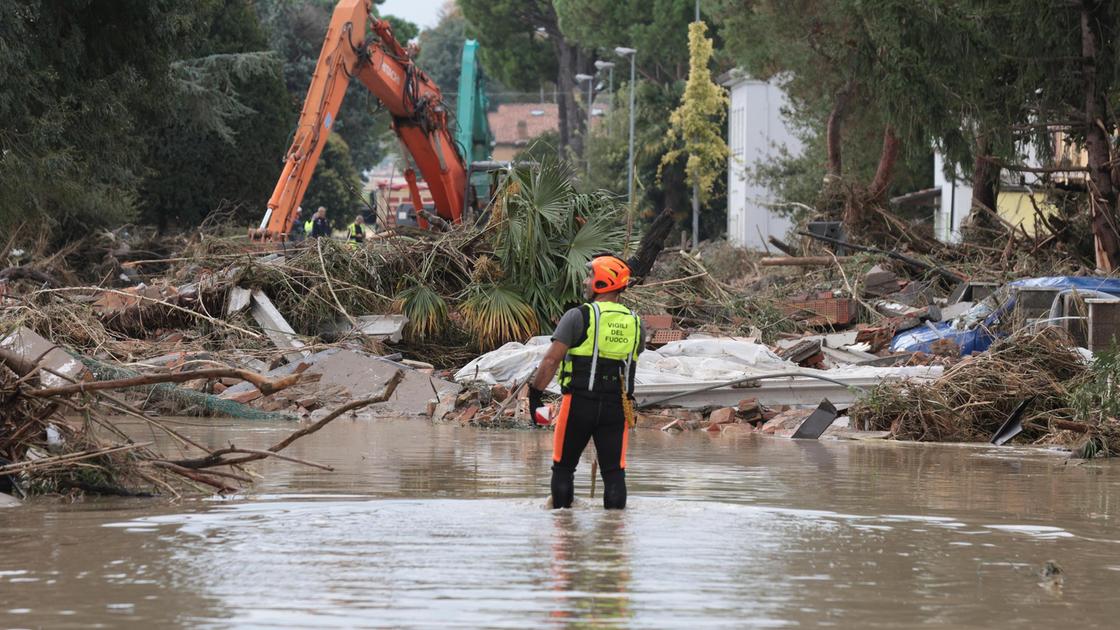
(758, 133)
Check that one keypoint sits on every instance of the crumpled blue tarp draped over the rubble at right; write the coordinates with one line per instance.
(973, 332)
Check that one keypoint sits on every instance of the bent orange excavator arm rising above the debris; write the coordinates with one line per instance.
(371, 54)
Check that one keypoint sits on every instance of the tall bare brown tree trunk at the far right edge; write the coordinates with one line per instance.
(1098, 127)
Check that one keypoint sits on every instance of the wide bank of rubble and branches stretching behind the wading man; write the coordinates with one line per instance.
(870, 342)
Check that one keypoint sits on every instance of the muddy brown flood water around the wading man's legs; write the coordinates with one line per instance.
(442, 526)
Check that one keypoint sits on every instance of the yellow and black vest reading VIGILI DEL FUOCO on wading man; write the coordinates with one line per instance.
(605, 362)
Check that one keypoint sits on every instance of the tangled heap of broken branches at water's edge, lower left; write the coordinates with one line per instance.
(59, 433)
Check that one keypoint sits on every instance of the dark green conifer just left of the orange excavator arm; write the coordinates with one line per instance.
(235, 159)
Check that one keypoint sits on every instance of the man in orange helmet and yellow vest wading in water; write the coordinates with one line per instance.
(596, 348)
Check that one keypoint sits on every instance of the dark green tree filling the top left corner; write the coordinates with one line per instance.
(79, 86)
